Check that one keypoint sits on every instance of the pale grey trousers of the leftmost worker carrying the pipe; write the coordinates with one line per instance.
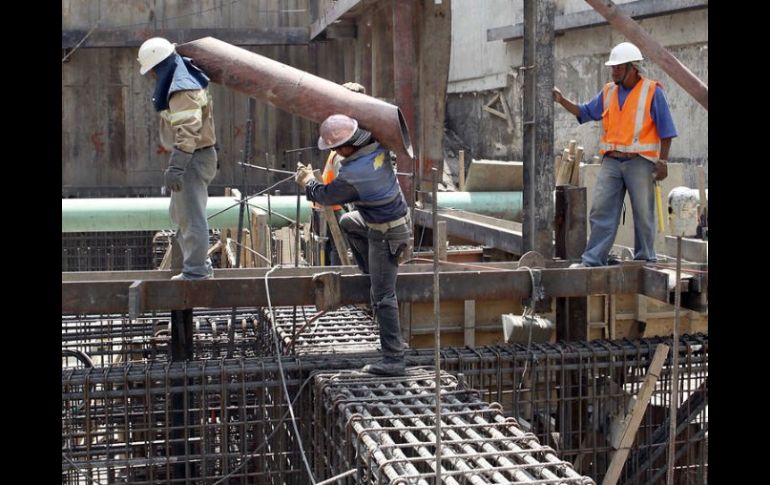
(188, 212)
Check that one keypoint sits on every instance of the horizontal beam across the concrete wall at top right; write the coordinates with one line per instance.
(639, 9)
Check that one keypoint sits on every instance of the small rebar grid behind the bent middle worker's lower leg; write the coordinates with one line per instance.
(346, 330)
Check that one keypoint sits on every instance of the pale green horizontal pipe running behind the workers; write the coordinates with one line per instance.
(151, 213)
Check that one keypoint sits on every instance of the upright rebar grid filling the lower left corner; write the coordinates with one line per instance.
(177, 423)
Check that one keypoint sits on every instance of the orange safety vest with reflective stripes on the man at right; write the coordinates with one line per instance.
(631, 129)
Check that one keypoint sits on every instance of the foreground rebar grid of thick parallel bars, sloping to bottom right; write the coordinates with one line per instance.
(389, 423)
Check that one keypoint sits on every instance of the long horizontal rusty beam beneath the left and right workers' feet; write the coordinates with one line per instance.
(89, 297)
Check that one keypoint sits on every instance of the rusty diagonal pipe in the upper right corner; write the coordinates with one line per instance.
(652, 49)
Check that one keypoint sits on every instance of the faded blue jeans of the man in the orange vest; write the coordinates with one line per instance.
(615, 177)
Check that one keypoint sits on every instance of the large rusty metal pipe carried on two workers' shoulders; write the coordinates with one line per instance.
(297, 91)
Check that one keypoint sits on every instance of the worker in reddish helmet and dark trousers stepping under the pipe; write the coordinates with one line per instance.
(378, 231)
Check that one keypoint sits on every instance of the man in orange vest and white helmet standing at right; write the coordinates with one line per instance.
(637, 129)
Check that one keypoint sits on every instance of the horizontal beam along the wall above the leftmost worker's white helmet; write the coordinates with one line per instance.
(134, 38)
